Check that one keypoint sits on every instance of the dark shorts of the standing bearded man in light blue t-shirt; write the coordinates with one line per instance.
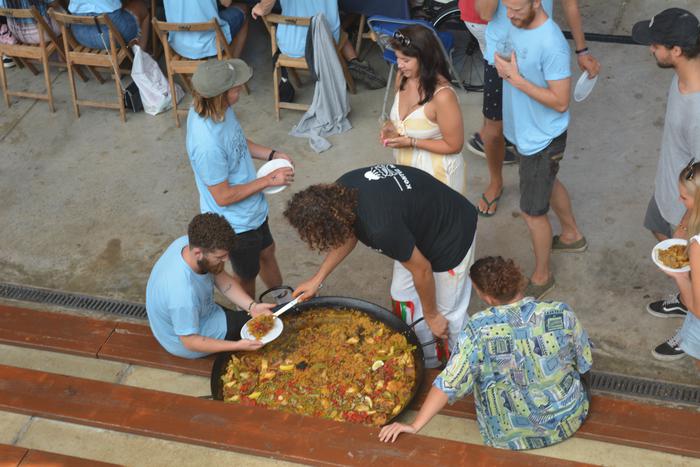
(537, 175)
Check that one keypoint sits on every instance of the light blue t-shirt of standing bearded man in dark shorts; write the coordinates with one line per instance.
(542, 55)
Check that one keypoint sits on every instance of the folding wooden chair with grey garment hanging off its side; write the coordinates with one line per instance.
(271, 21)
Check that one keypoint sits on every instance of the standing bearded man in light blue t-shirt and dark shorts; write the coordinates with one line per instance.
(536, 91)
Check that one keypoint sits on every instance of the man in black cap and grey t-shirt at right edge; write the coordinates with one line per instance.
(673, 37)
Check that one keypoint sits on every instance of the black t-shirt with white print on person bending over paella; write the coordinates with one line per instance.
(402, 207)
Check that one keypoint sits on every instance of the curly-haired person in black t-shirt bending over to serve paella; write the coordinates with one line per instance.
(407, 215)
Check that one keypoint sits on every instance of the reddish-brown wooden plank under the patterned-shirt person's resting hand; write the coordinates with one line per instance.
(250, 430)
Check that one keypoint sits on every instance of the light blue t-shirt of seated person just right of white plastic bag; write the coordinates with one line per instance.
(194, 44)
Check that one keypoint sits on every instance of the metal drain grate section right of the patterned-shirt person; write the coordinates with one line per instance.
(645, 388)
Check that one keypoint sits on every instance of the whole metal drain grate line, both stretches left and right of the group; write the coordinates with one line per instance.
(603, 382)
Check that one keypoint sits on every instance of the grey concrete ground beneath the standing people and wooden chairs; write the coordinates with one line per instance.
(89, 204)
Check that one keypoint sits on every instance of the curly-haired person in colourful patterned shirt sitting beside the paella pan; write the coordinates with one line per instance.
(524, 360)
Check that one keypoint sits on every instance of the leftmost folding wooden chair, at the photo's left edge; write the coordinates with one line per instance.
(48, 44)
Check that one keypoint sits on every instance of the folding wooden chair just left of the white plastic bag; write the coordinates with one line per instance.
(112, 58)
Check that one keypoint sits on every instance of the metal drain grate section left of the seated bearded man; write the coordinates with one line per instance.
(72, 300)
